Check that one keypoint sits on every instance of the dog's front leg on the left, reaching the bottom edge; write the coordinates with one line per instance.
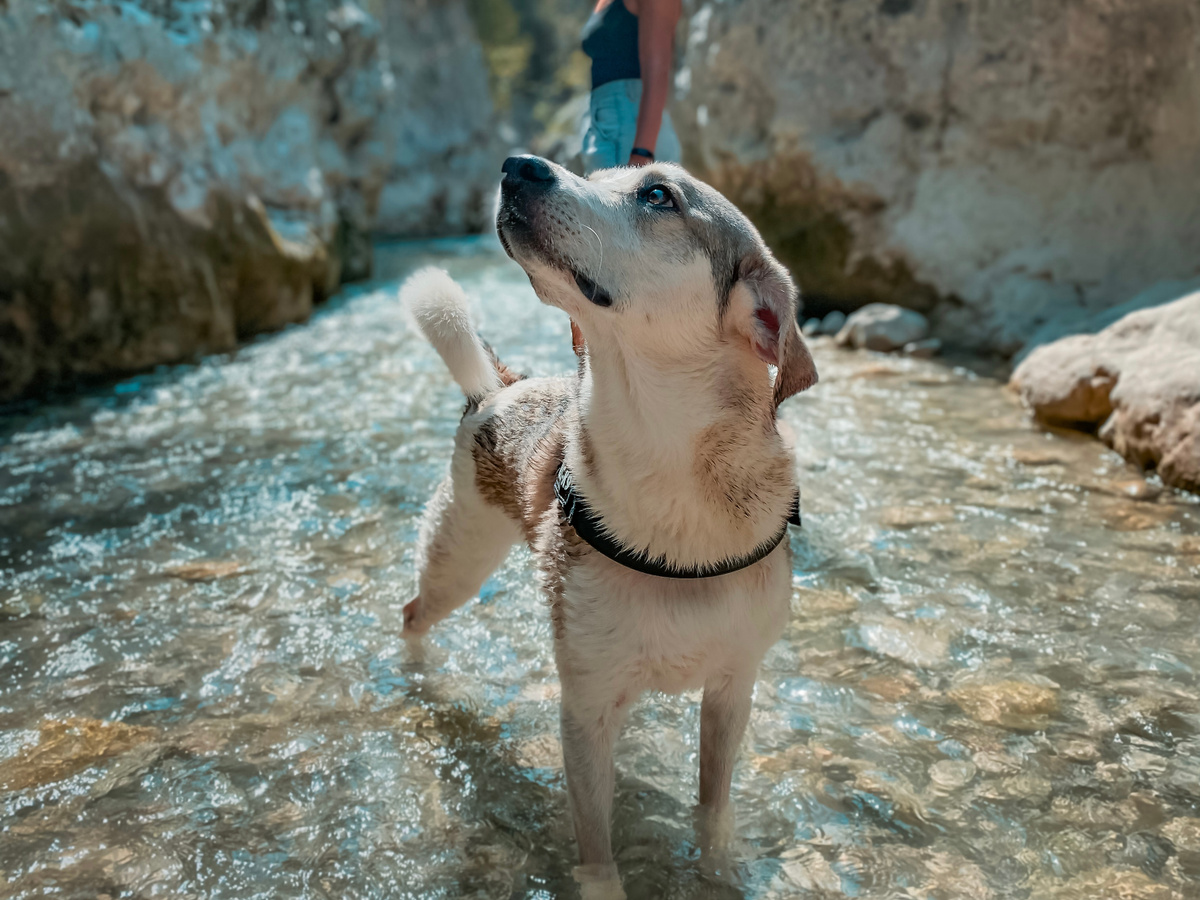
(589, 736)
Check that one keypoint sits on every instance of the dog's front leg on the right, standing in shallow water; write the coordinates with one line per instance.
(724, 715)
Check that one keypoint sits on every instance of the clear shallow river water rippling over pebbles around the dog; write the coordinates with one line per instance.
(989, 687)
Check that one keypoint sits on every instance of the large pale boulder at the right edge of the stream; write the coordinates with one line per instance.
(1137, 381)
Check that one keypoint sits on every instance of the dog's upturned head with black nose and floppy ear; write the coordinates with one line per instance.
(653, 260)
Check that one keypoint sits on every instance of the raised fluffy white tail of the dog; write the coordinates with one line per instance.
(440, 307)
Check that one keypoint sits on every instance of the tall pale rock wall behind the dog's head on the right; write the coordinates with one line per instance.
(1007, 167)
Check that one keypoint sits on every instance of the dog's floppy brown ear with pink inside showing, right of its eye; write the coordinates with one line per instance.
(769, 302)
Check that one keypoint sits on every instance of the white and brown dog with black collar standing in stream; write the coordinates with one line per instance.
(653, 485)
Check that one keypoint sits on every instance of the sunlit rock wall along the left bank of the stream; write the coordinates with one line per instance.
(177, 177)
